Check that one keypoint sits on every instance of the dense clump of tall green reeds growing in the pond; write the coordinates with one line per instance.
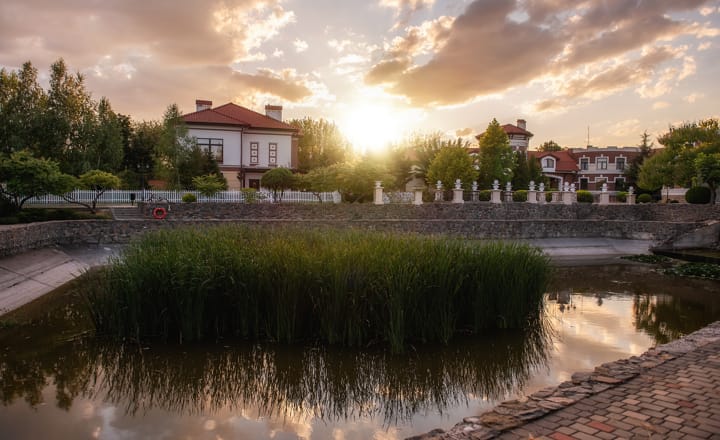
(343, 287)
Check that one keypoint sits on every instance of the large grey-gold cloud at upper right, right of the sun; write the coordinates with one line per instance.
(499, 44)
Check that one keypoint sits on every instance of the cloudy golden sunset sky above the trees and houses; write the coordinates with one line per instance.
(603, 70)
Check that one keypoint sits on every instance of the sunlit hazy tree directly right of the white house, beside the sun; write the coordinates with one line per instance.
(321, 143)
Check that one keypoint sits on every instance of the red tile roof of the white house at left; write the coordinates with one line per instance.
(233, 114)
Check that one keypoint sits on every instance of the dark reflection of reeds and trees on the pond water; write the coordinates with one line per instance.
(276, 381)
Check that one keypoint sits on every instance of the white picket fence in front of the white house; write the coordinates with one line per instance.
(128, 197)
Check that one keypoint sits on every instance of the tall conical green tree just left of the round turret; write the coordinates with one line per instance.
(496, 157)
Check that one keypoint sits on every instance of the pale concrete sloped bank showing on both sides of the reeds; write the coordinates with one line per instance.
(27, 276)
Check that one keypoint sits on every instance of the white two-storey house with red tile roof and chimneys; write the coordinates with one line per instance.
(246, 144)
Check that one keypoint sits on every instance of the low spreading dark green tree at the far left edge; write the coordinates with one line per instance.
(23, 176)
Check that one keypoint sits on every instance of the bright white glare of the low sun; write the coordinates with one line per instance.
(370, 127)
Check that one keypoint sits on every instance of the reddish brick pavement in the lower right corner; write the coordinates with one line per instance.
(679, 399)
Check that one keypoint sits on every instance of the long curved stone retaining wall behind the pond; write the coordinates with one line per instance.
(470, 220)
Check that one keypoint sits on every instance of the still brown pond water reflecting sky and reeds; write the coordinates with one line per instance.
(55, 382)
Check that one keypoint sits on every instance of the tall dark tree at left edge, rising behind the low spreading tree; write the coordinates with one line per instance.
(22, 104)
